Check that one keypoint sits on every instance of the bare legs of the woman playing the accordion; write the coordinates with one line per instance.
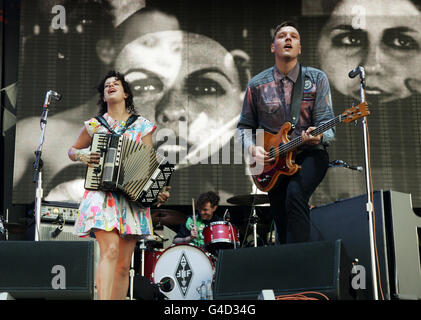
(114, 264)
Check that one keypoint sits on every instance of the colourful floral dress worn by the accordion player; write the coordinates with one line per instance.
(111, 210)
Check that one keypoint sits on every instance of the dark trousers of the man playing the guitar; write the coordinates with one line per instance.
(289, 198)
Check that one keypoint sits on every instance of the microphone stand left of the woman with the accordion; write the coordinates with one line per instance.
(38, 164)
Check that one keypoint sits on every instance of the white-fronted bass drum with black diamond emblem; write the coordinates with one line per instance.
(180, 270)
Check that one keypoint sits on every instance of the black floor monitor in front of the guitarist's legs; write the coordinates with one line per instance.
(321, 267)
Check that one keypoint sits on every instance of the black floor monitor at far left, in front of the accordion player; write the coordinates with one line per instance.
(47, 269)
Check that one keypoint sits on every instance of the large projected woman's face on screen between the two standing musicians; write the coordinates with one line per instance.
(184, 79)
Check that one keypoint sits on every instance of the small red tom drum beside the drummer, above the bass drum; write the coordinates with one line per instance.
(220, 235)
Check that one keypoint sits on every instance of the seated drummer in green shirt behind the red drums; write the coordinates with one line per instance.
(191, 233)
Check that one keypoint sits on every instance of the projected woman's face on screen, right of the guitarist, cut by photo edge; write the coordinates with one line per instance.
(383, 36)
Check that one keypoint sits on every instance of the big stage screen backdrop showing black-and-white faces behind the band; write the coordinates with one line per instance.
(194, 58)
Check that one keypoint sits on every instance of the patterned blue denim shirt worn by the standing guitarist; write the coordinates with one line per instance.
(267, 104)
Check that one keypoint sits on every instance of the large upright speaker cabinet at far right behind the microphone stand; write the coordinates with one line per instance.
(397, 230)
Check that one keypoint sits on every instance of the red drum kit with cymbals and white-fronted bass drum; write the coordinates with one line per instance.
(180, 270)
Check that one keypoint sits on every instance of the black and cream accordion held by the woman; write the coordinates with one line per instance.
(133, 168)
